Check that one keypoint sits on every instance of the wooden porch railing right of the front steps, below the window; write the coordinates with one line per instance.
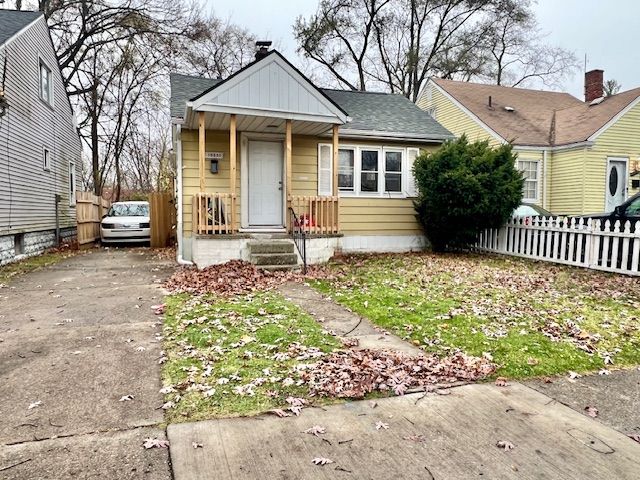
(316, 215)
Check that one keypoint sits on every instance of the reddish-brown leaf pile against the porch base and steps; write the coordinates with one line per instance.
(235, 277)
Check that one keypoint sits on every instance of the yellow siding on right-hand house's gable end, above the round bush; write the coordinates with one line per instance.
(453, 118)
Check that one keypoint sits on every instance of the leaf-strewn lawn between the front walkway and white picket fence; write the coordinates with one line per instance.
(532, 319)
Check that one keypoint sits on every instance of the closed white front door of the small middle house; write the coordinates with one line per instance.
(265, 161)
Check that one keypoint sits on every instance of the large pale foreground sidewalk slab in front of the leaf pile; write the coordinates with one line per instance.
(449, 437)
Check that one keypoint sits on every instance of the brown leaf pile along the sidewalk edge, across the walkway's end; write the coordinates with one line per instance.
(355, 373)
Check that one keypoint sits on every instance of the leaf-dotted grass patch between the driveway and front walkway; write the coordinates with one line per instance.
(236, 357)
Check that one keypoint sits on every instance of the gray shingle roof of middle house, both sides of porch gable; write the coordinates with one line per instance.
(371, 112)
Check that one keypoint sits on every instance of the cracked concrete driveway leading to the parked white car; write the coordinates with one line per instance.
(74, 339)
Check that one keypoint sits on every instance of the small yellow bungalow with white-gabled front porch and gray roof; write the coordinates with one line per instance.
(266, 152)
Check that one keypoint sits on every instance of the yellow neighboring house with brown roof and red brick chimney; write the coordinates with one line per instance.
(577, 157)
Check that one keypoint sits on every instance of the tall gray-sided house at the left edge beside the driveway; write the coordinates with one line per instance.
(39, 144)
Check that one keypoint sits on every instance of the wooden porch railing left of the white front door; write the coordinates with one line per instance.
(214, 213)
